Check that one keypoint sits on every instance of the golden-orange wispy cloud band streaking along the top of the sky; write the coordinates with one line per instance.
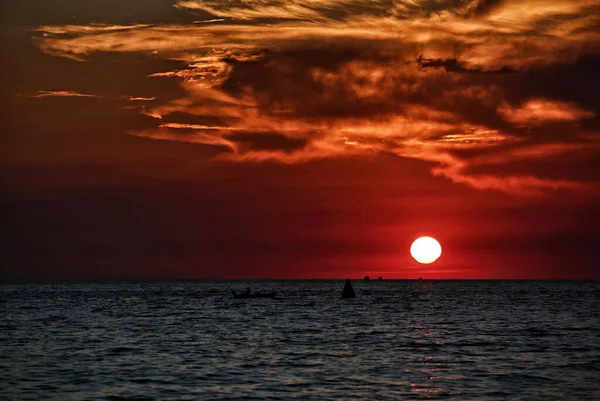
(556, 32)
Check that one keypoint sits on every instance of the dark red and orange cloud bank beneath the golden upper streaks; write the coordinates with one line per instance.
(376, 100)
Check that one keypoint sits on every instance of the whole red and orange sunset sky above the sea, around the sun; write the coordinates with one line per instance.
(191, 139)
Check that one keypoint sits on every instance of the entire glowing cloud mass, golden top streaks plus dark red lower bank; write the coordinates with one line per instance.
(461, 85)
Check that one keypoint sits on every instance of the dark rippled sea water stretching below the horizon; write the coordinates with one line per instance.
(406, 340)
